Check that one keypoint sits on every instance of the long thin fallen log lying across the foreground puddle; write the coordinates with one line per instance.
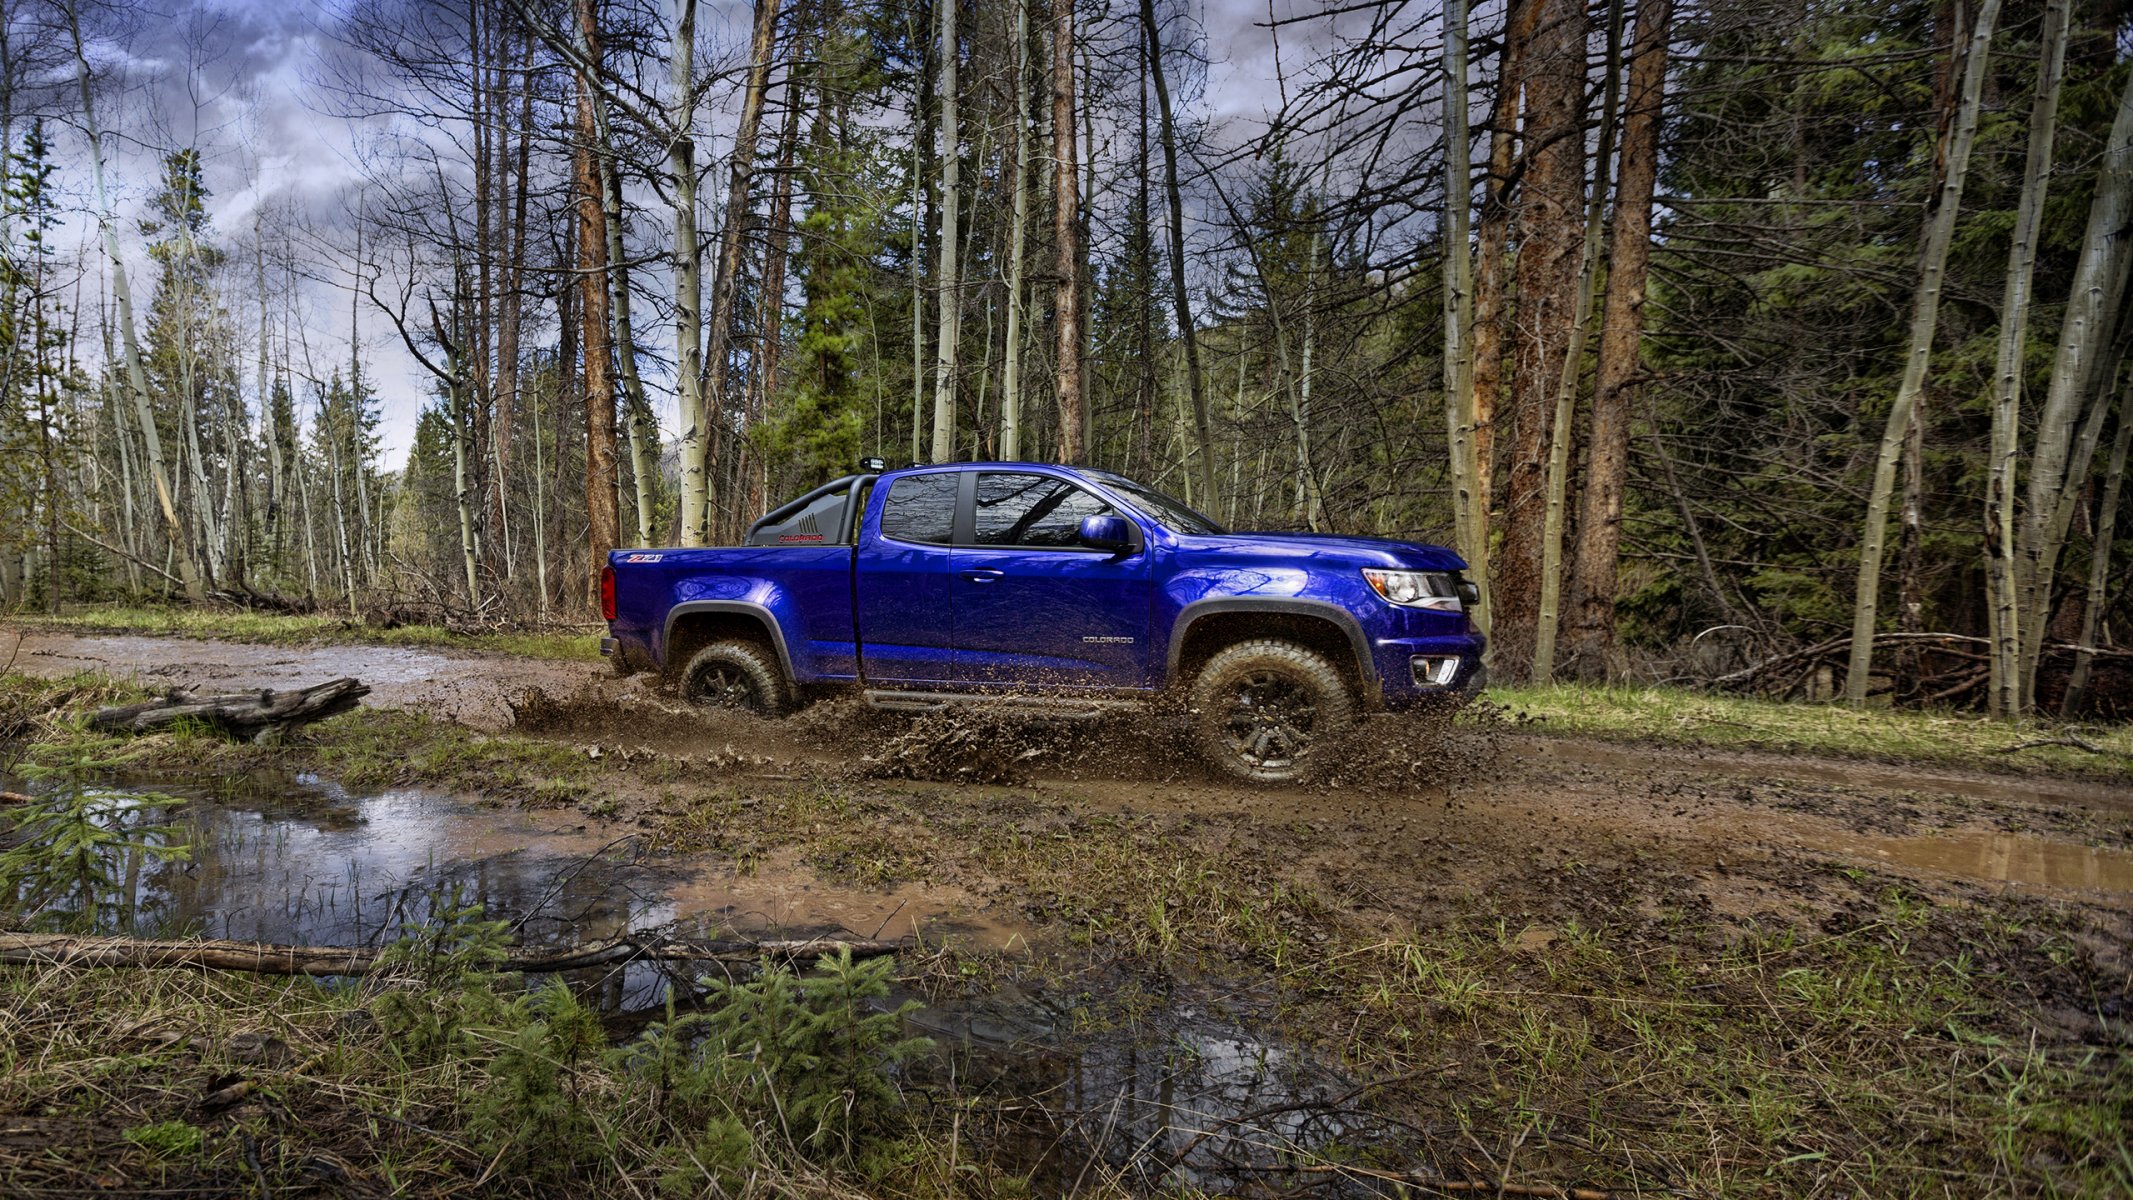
(272, 958)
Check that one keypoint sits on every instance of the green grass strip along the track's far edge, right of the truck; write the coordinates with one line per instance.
(1701, 719)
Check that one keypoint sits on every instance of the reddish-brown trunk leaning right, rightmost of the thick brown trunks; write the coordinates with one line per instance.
(1624, 321)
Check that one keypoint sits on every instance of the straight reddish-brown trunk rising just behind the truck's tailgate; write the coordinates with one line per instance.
(603, 519)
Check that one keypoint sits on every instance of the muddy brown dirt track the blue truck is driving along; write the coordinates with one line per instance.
(1420, 813)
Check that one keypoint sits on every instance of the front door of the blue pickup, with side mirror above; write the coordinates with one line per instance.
(1033, 606)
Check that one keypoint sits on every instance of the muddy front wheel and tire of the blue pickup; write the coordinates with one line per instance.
(1260, 709)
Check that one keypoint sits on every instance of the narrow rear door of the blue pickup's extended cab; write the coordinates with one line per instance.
(901, 583)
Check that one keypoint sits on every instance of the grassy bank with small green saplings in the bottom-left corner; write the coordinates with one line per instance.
(443, 1080)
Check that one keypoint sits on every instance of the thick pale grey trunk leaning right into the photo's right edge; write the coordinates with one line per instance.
(2083, 342)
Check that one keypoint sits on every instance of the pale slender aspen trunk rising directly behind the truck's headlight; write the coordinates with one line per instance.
(1460, 293)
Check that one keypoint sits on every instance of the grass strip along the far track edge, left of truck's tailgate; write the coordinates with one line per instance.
(312, 630)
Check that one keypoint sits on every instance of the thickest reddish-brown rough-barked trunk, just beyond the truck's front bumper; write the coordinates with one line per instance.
(1552, 227)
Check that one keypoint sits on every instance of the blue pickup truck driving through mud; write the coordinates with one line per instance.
(1057, 589)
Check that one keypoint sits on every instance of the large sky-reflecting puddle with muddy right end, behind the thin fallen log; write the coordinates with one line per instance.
(302, 860)
